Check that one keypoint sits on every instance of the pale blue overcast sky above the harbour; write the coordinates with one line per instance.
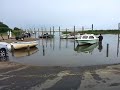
(103, 14)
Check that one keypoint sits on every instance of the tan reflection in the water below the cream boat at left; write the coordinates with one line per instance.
(24, 52)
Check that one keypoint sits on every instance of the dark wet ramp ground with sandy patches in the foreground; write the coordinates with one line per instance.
(14, 76)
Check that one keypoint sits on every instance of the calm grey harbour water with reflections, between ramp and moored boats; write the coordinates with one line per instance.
(56, 52)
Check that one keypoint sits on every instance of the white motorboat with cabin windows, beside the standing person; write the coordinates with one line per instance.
(87, 39)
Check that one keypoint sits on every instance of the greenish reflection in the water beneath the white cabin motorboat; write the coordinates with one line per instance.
(86, 48)
